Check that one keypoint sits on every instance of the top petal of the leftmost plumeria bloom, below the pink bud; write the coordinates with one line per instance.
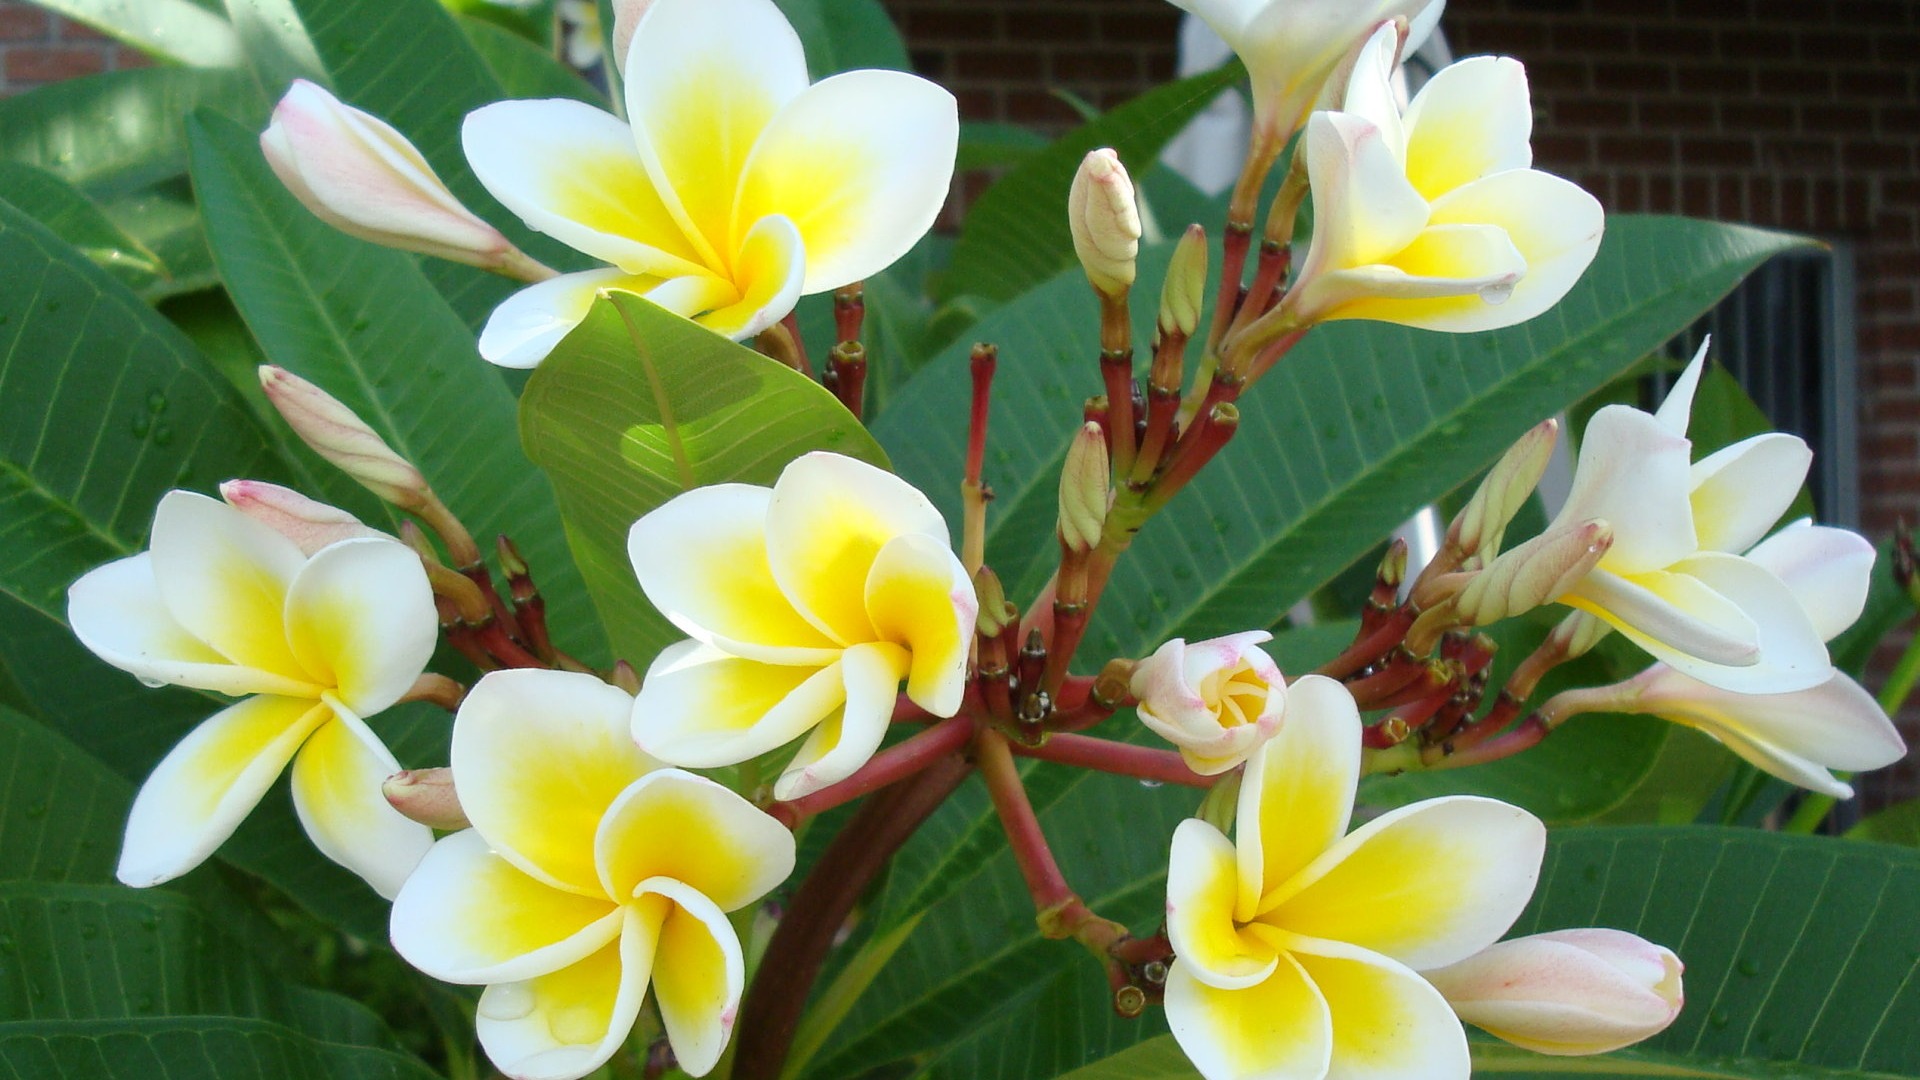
(224, 577)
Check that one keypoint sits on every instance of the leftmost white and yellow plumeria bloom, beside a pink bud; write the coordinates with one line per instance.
(310, 643)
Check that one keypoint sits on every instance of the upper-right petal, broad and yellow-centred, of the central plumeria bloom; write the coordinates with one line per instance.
(828, 522)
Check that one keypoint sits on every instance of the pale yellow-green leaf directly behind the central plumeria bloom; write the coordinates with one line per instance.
(638, 406)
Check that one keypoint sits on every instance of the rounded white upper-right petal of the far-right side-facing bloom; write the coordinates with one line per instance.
(1744, 489)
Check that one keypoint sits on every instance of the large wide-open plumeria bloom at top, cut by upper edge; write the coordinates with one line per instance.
(736, 191)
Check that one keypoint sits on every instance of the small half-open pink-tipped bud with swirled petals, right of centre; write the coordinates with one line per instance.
(1214, 700)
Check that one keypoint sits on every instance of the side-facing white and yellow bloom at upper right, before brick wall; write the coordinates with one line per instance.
(1435, 218)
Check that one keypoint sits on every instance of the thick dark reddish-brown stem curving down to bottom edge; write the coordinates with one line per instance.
(773, 1008)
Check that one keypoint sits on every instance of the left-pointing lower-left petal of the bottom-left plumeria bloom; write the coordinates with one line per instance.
(468, 916)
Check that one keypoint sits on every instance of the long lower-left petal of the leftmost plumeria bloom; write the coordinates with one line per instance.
(208, 783)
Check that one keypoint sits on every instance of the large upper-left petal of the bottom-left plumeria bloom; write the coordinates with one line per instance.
(539, 756)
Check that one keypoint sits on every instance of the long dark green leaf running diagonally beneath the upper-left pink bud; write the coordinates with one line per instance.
(368, 328)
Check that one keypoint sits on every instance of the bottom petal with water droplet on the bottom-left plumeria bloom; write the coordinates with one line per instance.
(569, 1023)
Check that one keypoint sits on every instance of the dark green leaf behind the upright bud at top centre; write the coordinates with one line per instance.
(1017, 233)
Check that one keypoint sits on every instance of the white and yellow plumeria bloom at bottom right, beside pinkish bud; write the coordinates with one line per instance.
(1299, 945)
